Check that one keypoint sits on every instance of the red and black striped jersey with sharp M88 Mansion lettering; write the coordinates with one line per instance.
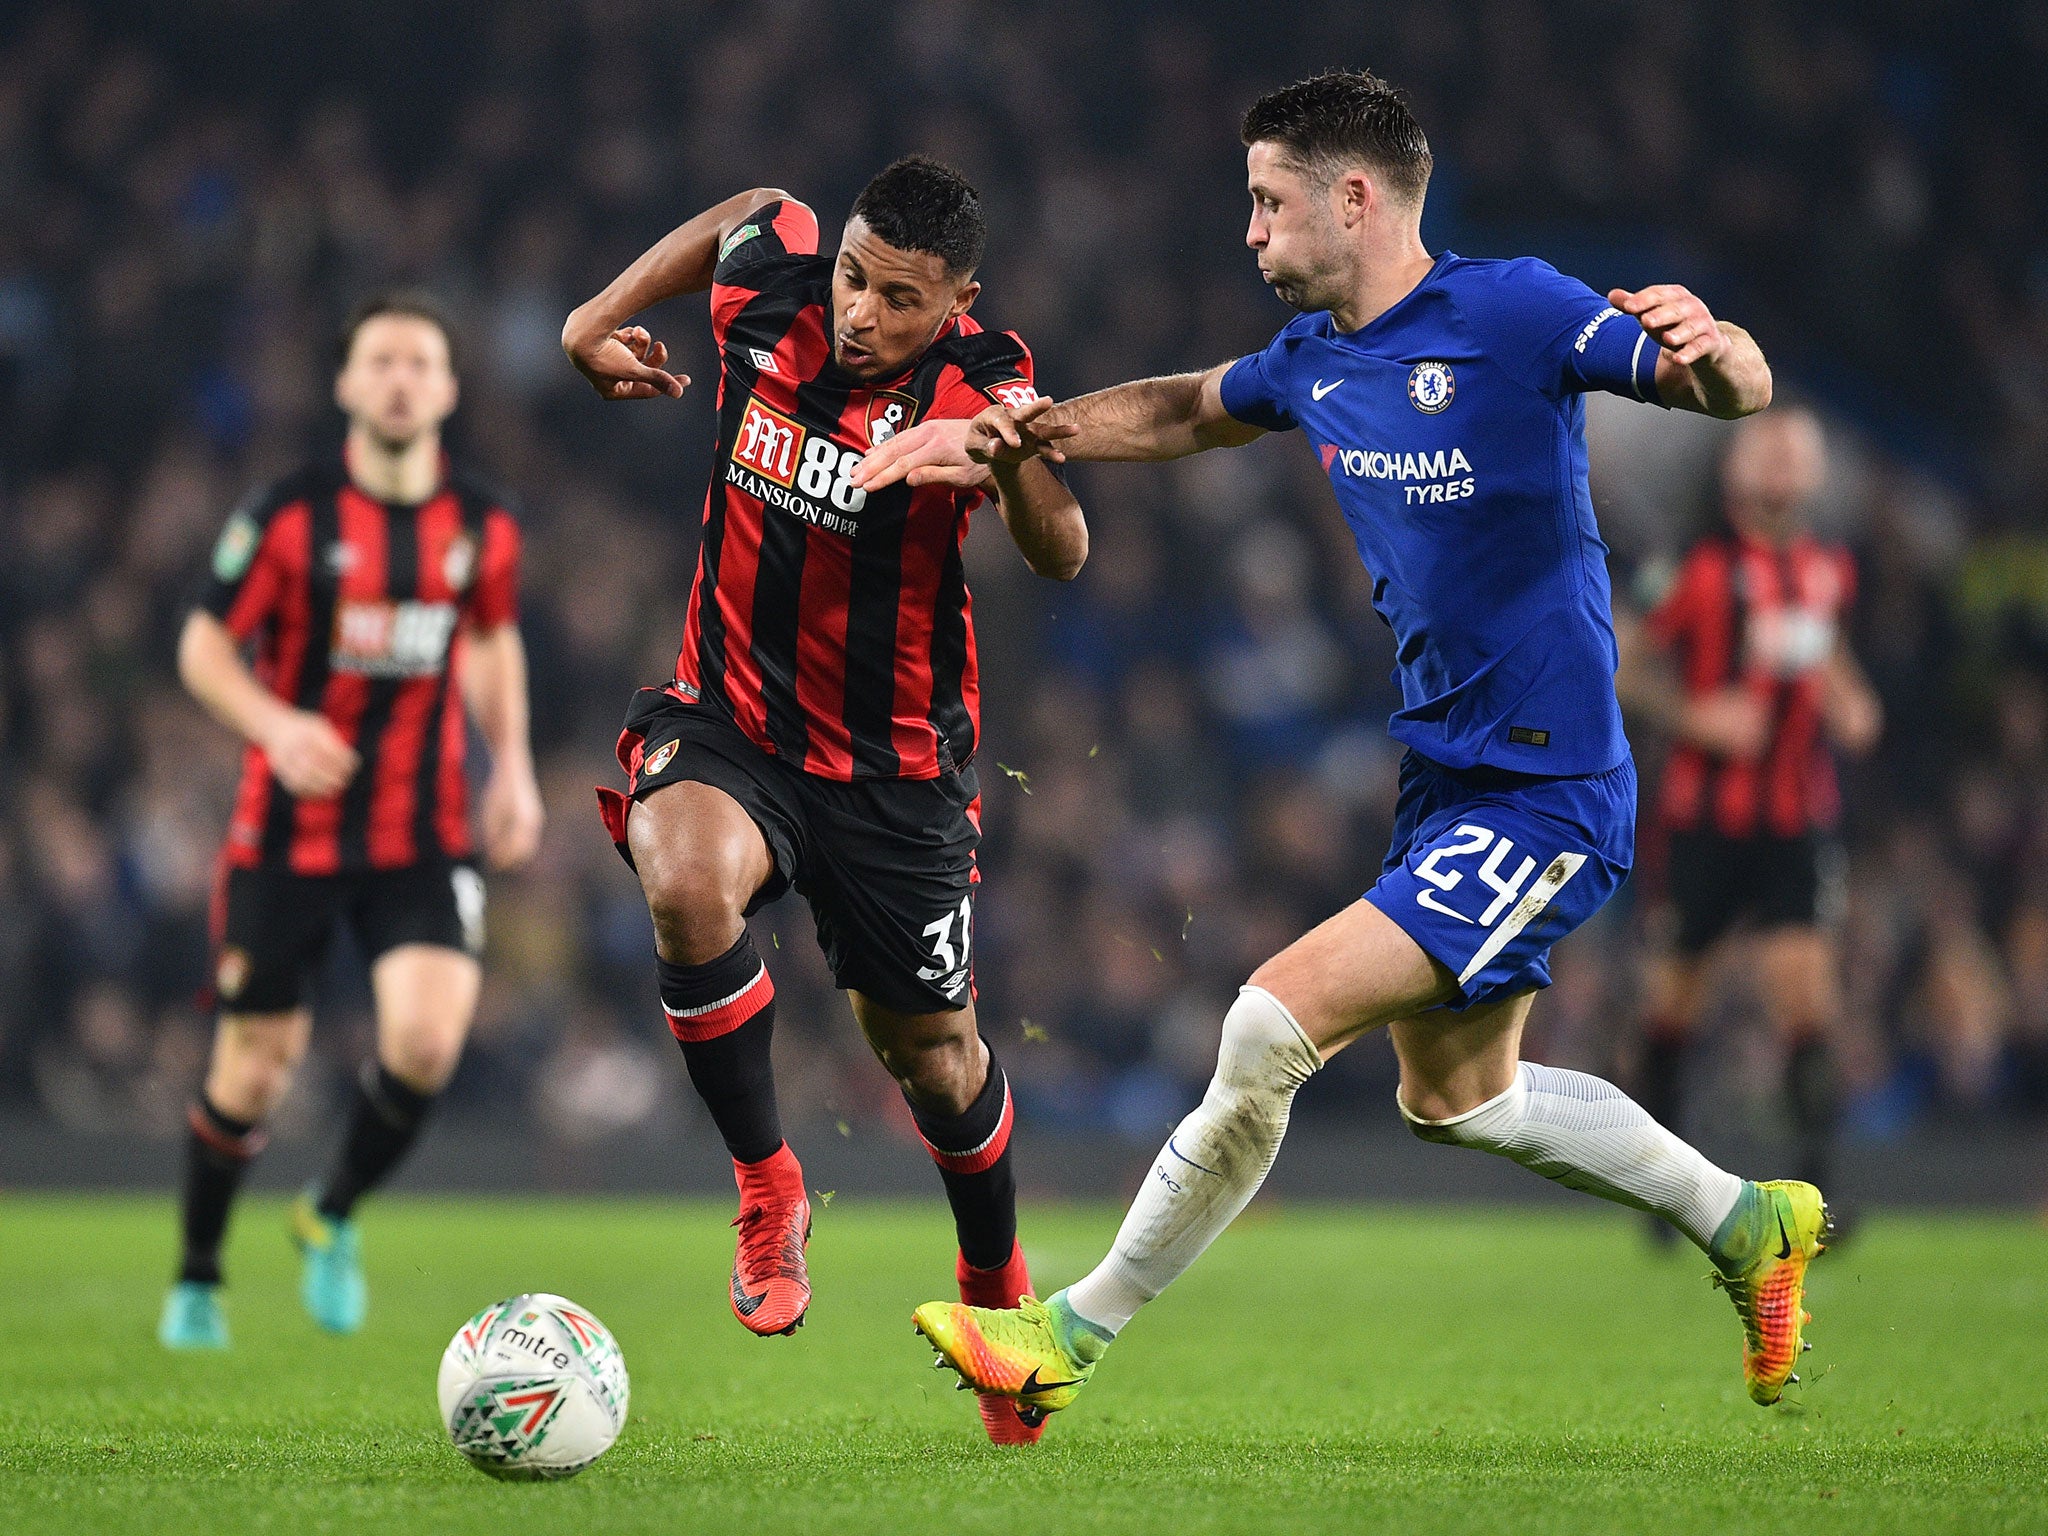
(833, 626)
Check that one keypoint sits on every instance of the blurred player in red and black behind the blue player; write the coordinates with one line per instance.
(1750, 673)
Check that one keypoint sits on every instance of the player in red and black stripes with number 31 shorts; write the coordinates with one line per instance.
(822, 722)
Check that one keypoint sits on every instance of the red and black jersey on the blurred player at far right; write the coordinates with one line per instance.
(1760, 617)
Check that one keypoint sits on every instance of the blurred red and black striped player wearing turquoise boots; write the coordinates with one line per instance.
(380, 593)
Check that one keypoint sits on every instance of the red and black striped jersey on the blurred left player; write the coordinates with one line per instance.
(357, 609)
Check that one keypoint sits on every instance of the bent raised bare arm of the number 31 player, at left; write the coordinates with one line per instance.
(624, 361)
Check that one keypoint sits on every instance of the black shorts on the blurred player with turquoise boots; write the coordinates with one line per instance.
(273, 927)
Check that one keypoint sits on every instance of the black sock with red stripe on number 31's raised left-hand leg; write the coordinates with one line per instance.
(722, 1015)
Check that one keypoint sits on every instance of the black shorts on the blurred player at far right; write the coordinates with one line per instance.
(1717, 882)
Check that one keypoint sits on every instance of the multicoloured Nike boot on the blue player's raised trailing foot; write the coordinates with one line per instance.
(1775, 1232)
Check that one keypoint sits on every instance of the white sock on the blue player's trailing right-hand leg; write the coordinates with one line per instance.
(1590, 1136)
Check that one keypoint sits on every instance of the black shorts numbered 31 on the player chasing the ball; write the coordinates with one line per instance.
(886, 863)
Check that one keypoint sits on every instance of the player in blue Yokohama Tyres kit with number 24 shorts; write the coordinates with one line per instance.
(1445, 398)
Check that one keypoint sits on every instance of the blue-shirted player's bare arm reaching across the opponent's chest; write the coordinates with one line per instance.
(1142, 421)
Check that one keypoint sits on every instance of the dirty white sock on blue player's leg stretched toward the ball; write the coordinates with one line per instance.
(1209, 1168)
